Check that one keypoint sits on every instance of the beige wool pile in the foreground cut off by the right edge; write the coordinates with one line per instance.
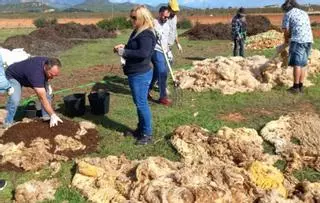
(296, 137)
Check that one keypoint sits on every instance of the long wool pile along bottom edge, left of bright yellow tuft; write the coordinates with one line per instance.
(156, 179)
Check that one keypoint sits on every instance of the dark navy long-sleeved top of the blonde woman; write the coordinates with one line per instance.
(138, 52)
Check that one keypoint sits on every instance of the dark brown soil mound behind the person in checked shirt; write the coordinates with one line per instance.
(255, 25)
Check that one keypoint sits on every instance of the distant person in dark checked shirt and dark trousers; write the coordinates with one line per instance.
(239, 31)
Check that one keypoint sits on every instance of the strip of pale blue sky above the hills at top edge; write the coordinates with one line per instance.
(220, 3)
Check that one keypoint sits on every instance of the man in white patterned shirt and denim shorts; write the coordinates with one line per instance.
(298, 35)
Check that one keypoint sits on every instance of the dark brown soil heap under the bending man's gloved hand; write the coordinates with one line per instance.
(27, 132)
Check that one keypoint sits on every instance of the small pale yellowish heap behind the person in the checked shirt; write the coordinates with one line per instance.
(266, 40)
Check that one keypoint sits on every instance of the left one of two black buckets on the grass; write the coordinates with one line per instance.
(75, 104)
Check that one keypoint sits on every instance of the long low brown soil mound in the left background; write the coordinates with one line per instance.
(50, 41)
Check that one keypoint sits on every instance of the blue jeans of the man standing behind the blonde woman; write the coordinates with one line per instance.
(160, 73)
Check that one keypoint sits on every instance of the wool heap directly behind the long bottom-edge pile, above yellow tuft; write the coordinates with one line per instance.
(238, 146)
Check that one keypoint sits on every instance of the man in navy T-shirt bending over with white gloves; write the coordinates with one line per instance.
(35, 73)
